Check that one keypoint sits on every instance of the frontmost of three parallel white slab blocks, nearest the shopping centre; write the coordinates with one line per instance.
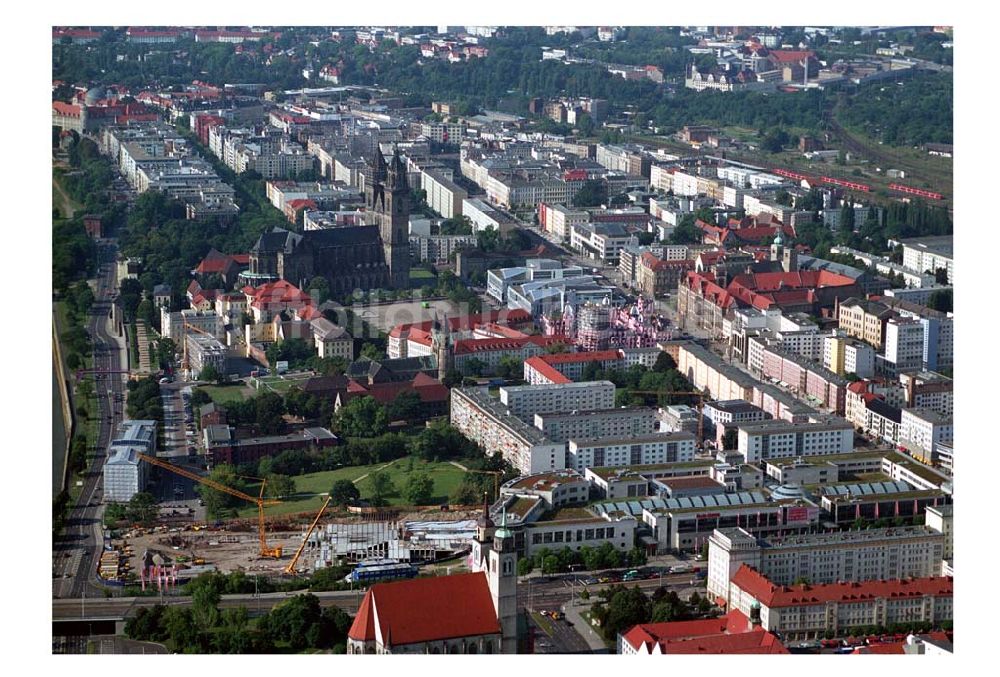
(619, 452)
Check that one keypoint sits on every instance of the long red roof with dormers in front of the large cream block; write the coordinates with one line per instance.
(770, 595)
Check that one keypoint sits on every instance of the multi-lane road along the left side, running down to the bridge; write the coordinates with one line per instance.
(76, 553)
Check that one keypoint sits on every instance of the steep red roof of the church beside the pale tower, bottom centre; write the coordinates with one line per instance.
(426, 609)
